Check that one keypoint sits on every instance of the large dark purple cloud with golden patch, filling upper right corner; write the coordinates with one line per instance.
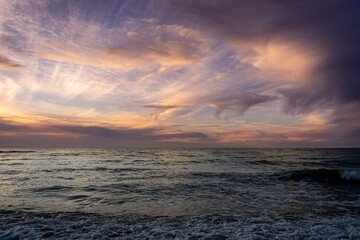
(313, 44)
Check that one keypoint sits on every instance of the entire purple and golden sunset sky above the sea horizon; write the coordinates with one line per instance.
(234, 73)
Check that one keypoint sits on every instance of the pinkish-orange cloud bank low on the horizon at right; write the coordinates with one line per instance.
(339, 128)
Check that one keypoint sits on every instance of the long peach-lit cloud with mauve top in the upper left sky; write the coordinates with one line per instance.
(140, 44)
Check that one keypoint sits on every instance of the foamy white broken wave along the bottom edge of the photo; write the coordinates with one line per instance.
(26, 225)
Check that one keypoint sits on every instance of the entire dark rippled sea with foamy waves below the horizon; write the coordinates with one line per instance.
(179, 193)
